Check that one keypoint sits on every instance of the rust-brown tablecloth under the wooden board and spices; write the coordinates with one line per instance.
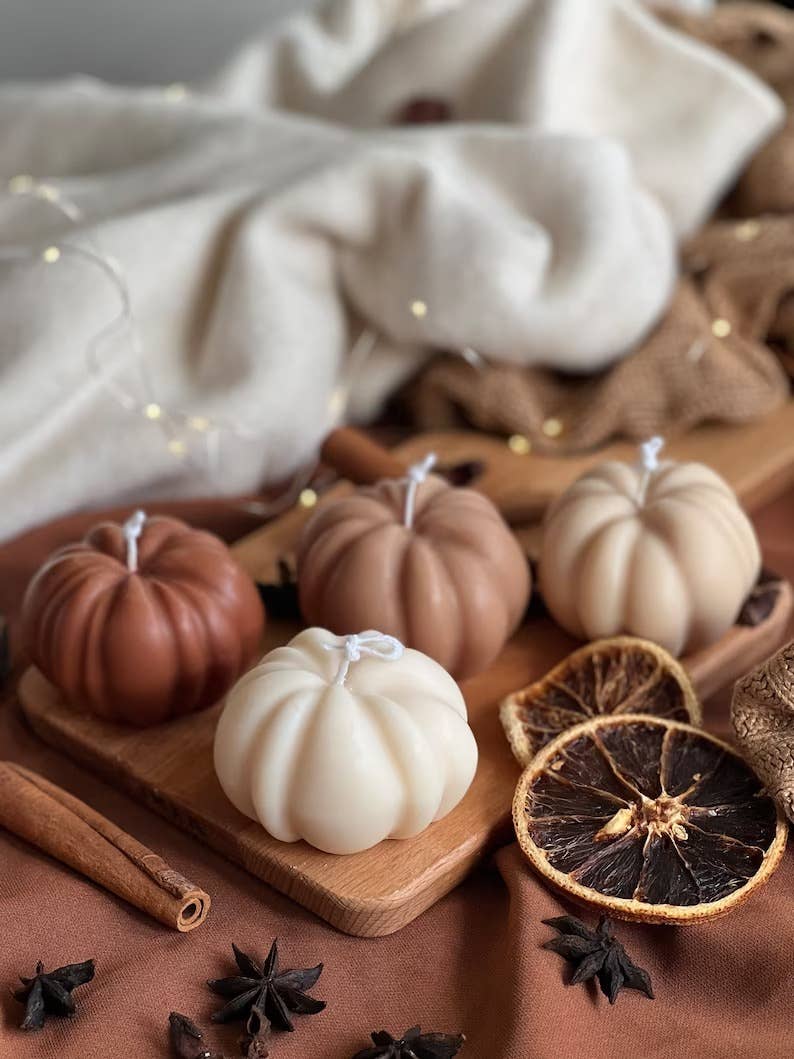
(473, 963)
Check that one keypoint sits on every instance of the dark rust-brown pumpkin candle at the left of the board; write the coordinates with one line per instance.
(145, 622)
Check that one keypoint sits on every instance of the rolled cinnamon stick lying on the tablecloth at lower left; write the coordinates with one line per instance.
(60, 824)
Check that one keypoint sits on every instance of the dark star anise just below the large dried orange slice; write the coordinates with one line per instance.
(598, 954)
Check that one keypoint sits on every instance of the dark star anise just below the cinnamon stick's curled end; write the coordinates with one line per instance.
(262, 990)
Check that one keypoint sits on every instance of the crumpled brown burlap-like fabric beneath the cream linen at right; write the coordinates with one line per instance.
(682, 375)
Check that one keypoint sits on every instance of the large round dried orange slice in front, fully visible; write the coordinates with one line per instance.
(648, 820)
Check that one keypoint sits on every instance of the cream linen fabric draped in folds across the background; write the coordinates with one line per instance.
(269, 216)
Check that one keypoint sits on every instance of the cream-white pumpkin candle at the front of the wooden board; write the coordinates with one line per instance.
(345, 742)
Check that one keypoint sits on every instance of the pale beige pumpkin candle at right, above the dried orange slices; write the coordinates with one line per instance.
(661, 551)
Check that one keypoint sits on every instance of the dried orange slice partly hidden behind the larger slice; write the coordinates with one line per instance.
(619, 676)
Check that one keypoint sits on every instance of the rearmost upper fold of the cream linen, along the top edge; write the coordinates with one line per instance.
(690, 118)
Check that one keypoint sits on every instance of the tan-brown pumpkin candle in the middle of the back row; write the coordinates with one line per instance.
(435, 566)
